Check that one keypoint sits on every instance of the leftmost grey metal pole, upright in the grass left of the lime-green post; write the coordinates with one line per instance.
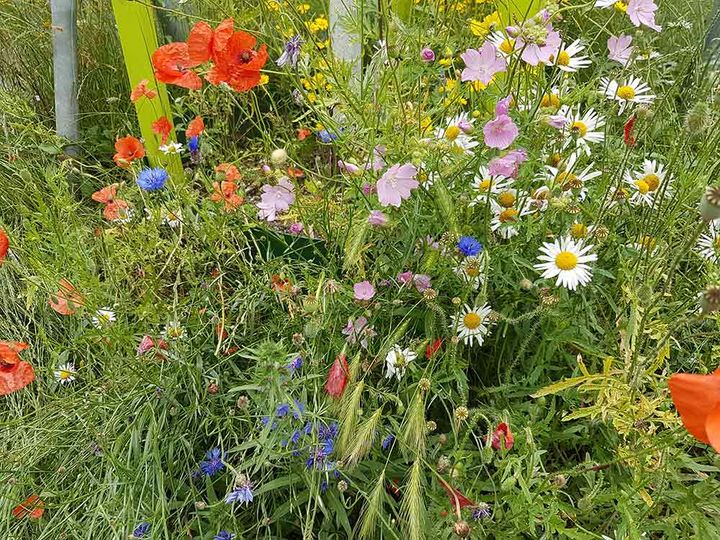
(64, 27)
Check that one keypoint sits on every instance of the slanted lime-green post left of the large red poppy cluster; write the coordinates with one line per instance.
(138, 36)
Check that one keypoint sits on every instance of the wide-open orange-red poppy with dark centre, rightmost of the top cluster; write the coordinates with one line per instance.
(238, 64)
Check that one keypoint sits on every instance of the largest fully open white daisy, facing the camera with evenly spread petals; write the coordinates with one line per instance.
(567, 260)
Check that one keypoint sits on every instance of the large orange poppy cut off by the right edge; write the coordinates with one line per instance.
(697, 399)
